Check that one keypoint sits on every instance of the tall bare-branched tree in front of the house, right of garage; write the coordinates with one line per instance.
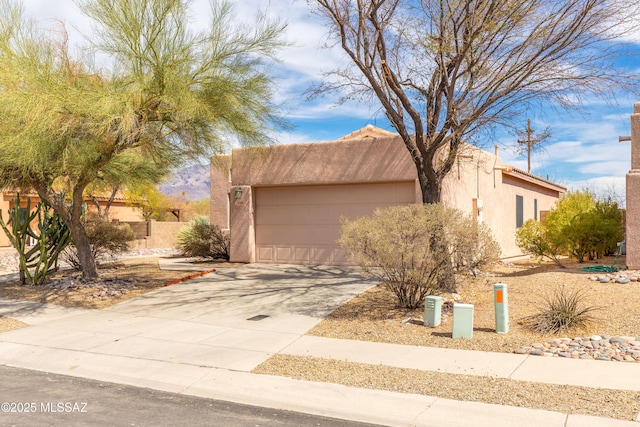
(443, 70)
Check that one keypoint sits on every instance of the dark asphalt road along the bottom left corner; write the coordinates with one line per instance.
(31, 398)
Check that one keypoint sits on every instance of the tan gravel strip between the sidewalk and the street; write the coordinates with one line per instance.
(567, 399)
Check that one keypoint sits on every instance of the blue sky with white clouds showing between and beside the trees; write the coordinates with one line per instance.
(583, 151)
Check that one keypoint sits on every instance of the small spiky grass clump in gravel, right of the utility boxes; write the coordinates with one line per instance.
(561, 312)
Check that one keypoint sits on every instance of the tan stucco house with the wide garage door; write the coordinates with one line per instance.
(283, 204)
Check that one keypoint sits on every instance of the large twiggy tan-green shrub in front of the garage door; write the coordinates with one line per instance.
(412, 249)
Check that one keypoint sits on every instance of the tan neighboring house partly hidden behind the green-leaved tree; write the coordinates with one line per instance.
(119, 210)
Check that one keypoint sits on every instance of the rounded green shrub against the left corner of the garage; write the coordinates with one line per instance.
(200, 238)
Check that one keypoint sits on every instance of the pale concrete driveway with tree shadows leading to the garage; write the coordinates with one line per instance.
(232, 319)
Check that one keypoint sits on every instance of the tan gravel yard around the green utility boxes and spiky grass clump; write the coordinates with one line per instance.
(375, 316)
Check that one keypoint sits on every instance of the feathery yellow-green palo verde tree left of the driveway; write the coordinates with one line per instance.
(166, 91)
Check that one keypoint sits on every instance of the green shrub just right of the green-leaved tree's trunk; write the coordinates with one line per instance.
(107, 239)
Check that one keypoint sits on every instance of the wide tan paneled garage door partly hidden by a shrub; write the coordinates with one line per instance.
(300, 225)
